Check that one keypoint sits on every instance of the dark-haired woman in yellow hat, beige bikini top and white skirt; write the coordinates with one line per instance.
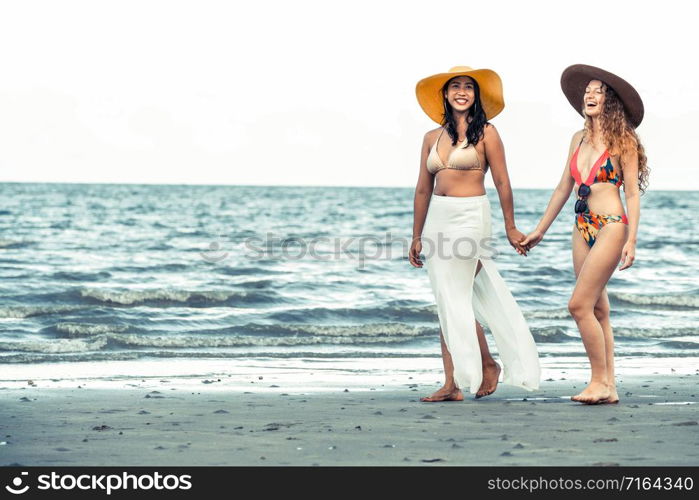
(468, 289)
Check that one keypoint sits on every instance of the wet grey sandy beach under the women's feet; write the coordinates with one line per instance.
(344, 412)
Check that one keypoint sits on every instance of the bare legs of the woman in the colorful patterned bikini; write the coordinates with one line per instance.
(596, 270)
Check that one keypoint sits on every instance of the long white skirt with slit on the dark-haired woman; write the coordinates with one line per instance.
(456, 235)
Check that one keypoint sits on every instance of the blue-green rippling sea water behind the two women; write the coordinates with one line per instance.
(136, 272)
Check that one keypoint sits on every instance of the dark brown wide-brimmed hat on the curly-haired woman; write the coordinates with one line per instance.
(576, 77)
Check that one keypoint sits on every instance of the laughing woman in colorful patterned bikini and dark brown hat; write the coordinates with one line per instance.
(604, 156)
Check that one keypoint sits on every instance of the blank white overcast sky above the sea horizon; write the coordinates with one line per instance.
(319, 92)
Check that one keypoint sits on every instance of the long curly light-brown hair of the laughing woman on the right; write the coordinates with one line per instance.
(618, 134)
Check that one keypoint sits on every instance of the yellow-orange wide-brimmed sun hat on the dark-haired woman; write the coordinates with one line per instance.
(429, 94)
